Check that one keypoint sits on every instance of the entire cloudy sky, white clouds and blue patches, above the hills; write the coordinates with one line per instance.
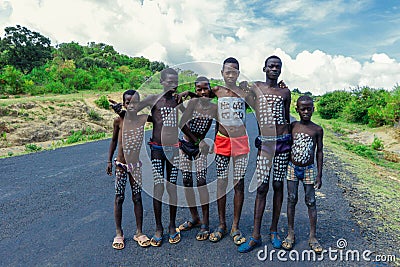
(324, 45)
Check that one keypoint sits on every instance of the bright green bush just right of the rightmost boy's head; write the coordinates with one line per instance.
(330, 105)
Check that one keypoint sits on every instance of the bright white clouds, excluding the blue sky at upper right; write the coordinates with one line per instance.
(177, 31)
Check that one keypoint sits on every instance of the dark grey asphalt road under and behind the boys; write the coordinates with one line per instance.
(56, 209)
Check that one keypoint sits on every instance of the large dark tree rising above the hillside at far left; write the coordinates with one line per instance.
(25, 49)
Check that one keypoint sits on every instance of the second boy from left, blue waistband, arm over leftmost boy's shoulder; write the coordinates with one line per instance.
(164, 152)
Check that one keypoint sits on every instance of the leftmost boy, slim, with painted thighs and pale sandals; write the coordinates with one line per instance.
(128, 165)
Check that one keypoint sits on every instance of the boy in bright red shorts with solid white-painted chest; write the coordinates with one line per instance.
(231, 141)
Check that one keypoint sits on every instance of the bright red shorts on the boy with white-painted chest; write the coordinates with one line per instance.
(231, 146)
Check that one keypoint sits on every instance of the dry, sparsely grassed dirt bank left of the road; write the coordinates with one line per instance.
(46, 122)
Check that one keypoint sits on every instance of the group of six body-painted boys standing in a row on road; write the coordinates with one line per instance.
(286, 151)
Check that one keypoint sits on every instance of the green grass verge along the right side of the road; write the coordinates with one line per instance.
(377, 178)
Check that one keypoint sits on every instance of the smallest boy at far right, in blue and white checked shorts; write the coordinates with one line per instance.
(307, 142)
